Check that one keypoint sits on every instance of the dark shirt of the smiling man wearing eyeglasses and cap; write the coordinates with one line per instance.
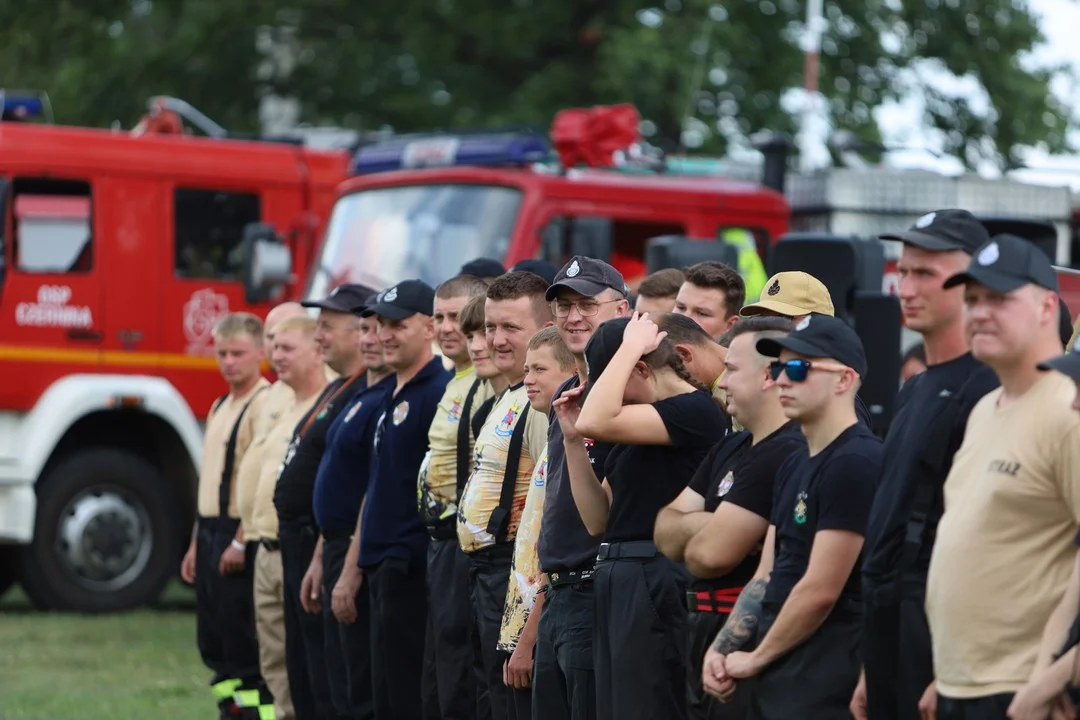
(565, 544)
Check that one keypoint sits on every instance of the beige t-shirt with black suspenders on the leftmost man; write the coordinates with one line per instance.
(220, 427)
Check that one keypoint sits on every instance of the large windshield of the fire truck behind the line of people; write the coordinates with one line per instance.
(384, 236)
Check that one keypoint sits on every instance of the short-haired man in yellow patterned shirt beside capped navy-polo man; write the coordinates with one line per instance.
(450, 683)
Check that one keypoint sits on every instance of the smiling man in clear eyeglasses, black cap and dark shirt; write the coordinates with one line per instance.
(586, 293)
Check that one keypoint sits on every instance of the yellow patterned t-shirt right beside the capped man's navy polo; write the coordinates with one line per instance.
(438, 482)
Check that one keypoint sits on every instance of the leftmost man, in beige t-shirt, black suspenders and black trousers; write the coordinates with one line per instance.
(218, 562)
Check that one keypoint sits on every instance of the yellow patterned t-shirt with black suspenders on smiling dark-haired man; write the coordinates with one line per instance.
(481, 495)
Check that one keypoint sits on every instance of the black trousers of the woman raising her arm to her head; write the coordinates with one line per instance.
(640, 647)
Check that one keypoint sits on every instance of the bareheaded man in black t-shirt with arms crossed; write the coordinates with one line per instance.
(719, 523)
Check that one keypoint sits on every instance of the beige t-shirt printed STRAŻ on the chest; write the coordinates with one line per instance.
(1005, 547)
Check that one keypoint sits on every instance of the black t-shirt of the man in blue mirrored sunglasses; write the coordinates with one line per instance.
(832, 491)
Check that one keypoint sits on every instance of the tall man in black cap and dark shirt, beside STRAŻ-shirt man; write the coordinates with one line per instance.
(931, 415)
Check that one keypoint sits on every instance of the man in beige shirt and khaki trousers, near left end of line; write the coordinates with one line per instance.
(299, 361)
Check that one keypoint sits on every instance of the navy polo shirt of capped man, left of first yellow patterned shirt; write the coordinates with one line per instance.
(391, 525)
